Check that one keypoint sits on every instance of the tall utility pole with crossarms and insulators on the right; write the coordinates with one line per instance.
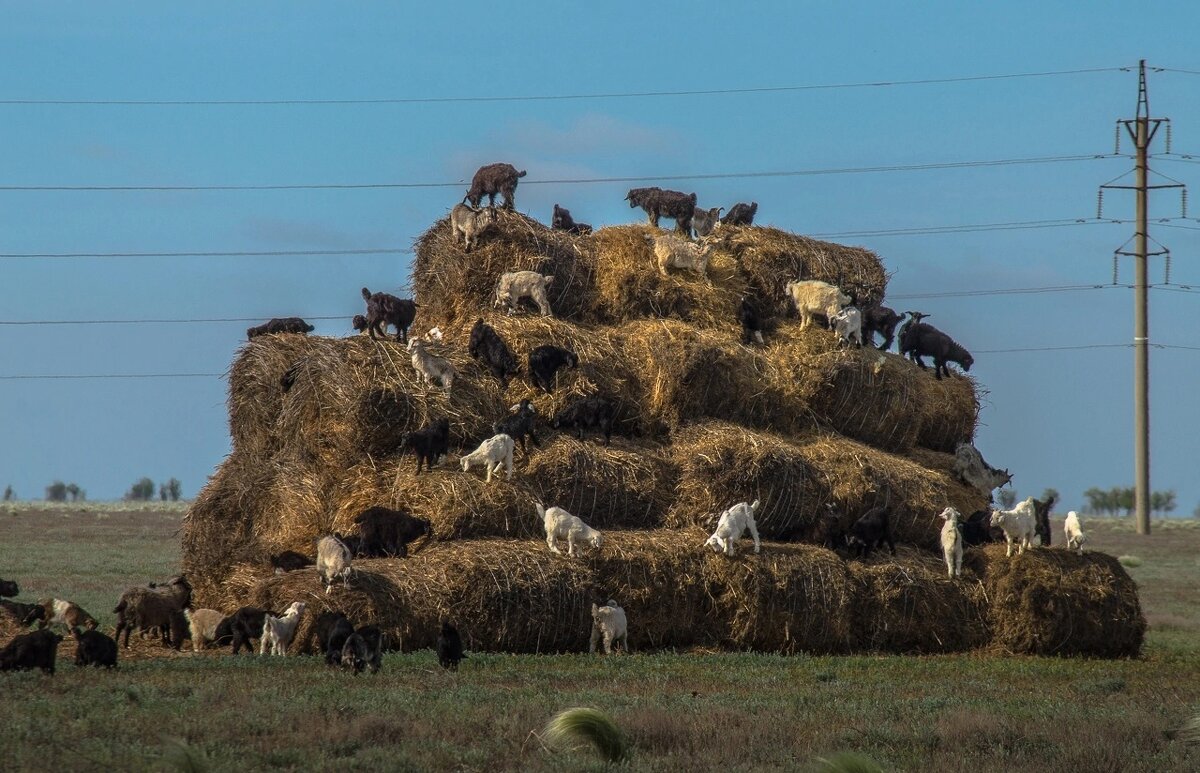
(1142, 131)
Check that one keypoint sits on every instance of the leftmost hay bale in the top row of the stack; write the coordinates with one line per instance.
(453, 287)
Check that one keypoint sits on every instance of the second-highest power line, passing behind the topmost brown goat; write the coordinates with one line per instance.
(668, 178)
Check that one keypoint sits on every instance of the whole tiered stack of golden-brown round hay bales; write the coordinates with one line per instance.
(704, 422)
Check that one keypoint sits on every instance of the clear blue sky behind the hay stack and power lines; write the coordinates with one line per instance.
(1059, 420)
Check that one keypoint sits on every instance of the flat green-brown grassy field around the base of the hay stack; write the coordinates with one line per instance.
(681, 711)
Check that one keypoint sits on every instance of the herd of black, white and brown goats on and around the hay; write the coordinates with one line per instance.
(166, 609)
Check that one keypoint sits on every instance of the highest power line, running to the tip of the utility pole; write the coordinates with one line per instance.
(556, 98)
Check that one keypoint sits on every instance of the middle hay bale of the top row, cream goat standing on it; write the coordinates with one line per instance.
(629, 285)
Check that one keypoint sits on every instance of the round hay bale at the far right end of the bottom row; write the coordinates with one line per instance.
(1059, 603)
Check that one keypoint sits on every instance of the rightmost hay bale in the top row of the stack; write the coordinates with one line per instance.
(771, 259)
